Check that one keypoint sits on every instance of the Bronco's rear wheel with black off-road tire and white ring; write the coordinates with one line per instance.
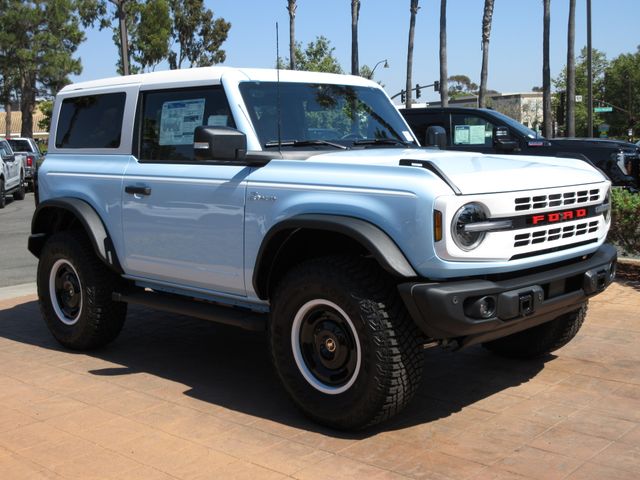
(99, 319)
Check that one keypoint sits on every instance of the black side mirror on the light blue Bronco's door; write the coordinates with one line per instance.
(219, 143)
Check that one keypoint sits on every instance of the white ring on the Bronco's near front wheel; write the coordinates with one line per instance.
(297, 351)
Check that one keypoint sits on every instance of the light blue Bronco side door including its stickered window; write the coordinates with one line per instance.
(183, 220)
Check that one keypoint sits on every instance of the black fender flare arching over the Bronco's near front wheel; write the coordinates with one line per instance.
(372, 238)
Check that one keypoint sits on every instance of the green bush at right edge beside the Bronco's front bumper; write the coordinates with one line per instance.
(625, 224)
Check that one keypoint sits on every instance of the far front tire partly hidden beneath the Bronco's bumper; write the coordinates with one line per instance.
(542, 339)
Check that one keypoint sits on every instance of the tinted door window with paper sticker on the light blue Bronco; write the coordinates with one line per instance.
(170, 117)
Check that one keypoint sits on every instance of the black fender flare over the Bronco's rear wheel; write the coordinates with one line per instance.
(41, 228)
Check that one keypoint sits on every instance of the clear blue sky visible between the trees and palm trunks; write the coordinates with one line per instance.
(516, 39)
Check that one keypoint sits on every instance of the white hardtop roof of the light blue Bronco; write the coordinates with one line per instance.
(214, 74)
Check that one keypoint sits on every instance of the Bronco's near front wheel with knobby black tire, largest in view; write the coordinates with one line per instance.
(343, 344)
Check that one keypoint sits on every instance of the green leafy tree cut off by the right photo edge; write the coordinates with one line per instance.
(621, 88)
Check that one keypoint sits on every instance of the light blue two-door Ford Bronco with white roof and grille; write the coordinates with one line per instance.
(302, 204)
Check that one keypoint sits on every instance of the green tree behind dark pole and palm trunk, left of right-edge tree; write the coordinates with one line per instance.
(599, 66)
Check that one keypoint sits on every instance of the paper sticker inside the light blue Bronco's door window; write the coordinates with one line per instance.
(179, 119)
